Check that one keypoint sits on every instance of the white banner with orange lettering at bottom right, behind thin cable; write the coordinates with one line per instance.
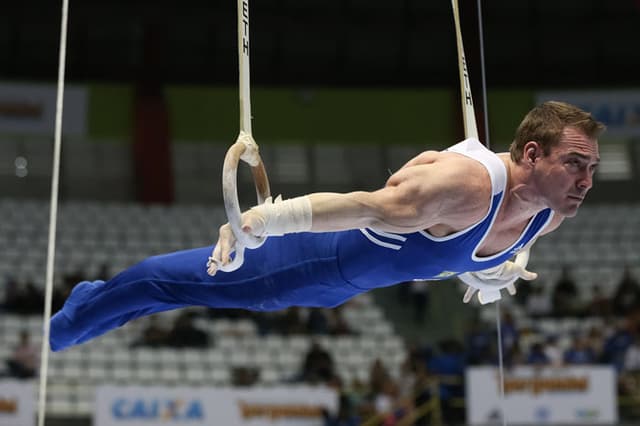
(571, 395)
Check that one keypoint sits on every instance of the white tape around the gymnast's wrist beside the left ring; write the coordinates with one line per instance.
(285, 217)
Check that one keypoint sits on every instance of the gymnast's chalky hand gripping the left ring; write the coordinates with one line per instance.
(253, 223)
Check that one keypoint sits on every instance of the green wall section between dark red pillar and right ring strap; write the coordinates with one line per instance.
(312, 115)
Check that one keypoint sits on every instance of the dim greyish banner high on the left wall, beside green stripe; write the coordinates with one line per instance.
(29, 108)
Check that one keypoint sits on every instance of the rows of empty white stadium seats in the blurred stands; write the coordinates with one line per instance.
(598, 243)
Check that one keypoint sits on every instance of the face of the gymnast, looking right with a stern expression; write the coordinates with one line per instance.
(565, 175)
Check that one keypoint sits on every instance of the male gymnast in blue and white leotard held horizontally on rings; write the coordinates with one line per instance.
(464, 212)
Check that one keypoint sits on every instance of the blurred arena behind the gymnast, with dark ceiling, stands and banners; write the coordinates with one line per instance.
(343, 93)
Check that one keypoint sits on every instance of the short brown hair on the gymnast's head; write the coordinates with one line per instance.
(546, 122)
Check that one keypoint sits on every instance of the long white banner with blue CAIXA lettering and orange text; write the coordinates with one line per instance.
(156, 406)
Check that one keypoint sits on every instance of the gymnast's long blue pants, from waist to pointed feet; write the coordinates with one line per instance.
(292, 270)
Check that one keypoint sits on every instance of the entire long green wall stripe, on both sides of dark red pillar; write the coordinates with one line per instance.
(389, 116)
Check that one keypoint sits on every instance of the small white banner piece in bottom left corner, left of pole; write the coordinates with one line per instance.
(17, 405)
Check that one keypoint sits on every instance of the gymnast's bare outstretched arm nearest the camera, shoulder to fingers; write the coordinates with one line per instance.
(427, 191)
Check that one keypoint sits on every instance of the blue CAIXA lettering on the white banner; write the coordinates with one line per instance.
(157, 409)
